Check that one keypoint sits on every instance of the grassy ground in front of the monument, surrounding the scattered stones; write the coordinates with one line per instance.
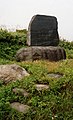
(55, 103)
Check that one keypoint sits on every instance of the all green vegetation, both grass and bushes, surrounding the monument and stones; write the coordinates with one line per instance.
(55, 103)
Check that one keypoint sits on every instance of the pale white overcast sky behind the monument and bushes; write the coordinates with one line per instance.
(18, 13)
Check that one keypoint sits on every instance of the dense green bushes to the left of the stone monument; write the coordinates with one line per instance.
(10, 43)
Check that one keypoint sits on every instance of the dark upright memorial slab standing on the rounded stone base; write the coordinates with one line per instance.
(43, 31)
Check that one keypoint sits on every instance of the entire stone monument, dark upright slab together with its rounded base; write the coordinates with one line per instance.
(43, 40)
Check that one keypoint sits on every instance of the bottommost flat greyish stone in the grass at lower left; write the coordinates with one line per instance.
(20, 107)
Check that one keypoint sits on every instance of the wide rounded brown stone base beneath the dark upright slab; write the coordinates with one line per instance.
(41, 53)
